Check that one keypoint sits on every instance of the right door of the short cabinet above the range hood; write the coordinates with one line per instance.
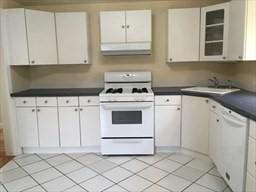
(138, 26)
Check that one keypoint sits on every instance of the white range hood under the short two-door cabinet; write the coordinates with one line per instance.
(126, 48)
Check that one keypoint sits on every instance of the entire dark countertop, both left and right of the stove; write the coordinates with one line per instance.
(242, 102)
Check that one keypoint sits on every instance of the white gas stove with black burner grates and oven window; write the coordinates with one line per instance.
(127, 114)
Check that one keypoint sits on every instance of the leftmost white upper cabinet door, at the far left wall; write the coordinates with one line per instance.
(17, 37)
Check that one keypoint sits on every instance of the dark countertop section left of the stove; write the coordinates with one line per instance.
(65, 92)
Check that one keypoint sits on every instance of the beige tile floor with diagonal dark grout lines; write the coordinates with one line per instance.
(93, 172)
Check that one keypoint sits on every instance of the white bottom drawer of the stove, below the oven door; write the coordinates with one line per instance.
(127, 146)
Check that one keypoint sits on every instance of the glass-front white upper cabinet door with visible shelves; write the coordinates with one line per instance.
(214, 32)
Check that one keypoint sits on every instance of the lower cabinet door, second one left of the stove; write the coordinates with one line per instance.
(69, 127)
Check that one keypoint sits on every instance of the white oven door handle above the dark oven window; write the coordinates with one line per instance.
(125, 106)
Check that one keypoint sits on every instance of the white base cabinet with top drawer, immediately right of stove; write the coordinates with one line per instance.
(167, 121)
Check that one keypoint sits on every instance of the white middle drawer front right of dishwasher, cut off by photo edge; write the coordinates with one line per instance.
(251, 164)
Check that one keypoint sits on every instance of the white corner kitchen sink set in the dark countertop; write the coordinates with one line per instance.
(213, 90)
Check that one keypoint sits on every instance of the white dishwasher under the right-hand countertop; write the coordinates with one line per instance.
(233, 147)
